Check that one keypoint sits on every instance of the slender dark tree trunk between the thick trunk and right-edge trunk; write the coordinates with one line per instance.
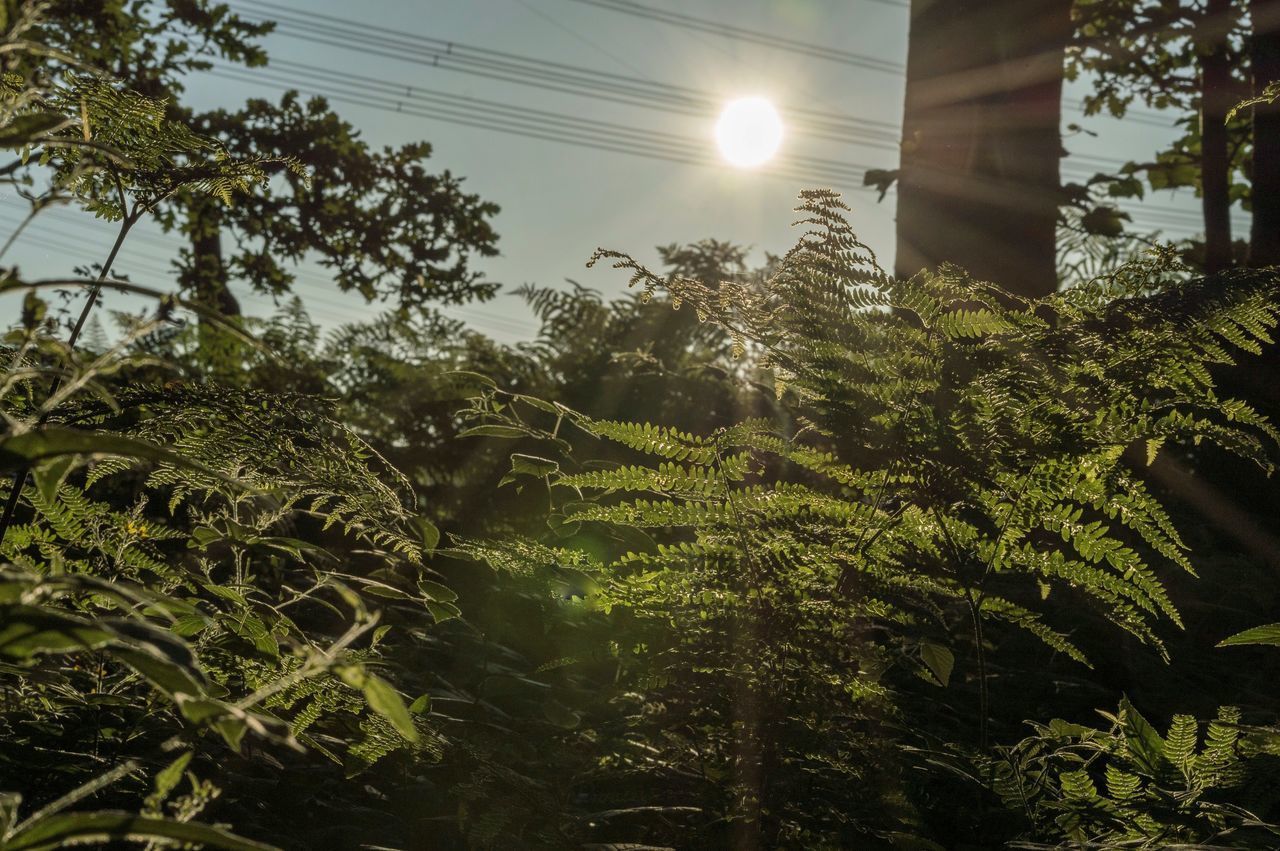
(1215, 74)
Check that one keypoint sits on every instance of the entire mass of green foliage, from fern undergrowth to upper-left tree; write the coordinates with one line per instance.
(749, 559)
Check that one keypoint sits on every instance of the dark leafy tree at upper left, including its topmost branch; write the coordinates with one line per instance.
(385, 225)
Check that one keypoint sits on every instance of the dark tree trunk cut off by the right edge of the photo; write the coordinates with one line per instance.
(1265, 60)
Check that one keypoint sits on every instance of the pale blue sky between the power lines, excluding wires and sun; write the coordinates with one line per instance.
(559, 202)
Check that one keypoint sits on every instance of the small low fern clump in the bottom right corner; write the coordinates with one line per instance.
(1128, 786)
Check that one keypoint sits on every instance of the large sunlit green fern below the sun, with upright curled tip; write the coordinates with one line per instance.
(962, 463)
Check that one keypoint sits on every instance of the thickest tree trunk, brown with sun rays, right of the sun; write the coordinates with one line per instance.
(980, 182)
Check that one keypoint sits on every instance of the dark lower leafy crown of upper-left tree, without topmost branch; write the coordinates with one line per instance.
(377, 218)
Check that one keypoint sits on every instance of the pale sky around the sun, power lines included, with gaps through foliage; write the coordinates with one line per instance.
(648, 176)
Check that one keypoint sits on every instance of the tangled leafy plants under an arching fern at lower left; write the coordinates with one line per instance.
(208, 602)
